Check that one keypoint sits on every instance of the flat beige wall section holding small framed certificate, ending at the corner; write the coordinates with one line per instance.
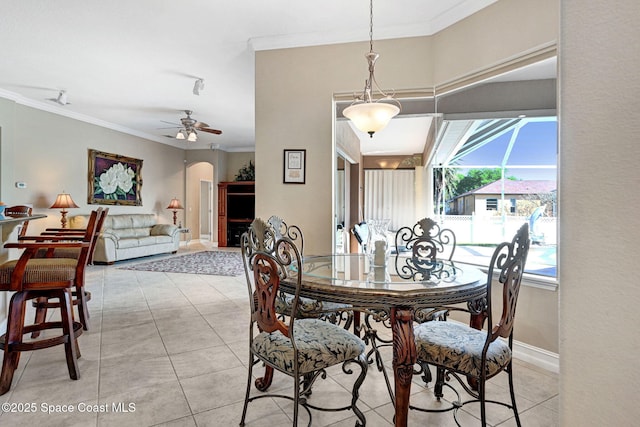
(294, 92)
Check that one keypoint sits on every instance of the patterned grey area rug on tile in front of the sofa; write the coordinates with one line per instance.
(218, 263)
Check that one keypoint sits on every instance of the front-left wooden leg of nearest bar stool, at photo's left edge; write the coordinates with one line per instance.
(15, 325)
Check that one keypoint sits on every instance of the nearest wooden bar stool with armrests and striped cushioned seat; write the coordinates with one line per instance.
(29, 278)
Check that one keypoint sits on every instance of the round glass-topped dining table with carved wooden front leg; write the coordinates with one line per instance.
(400, 287)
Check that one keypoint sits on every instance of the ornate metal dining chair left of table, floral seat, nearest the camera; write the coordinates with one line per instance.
(302, 349)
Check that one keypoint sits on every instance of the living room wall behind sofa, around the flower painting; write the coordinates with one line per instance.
(50, 153)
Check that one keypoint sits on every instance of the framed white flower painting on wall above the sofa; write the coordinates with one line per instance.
(114, 179)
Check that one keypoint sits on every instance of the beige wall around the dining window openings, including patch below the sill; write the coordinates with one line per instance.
(294, 92)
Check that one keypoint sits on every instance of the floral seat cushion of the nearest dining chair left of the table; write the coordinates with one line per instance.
(320, 345)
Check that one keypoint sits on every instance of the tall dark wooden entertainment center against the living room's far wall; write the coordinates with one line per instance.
(236, 210)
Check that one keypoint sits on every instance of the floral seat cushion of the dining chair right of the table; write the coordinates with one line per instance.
(459, 347)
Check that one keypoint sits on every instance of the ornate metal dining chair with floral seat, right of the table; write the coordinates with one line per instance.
(463, 352)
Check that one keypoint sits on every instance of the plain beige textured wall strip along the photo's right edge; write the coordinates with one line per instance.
(599, 153)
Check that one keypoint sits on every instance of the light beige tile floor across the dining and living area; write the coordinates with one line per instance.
(171, 350)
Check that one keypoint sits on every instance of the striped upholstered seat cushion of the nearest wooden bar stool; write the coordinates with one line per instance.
(41, 270)
